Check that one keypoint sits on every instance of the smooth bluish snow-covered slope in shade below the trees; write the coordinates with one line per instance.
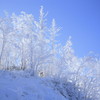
(17, 87)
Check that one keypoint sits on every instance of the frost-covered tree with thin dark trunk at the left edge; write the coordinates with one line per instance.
(5, 41)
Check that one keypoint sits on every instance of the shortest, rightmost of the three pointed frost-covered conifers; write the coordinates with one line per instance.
(70, 61)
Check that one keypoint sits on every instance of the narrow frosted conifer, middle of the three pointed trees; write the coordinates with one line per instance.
(53, 66)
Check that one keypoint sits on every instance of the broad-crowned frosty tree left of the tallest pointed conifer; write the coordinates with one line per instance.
(23, 28)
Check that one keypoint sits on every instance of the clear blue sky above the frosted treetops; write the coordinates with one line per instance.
(78, 18)
